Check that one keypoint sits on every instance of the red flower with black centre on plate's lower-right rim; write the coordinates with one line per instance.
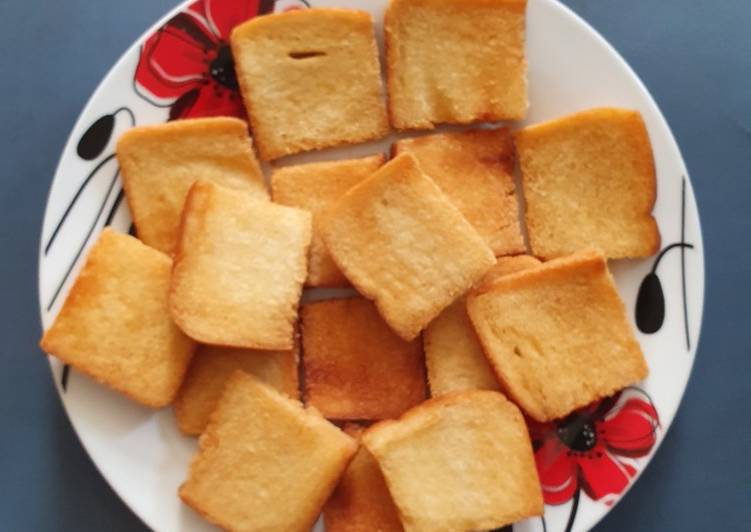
(592, 448)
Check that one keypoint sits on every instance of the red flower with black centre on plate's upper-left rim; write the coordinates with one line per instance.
(187, 65)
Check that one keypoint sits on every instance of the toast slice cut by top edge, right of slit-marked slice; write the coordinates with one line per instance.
(455, 61)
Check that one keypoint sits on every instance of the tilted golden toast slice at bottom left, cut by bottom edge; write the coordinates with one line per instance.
(264, 463)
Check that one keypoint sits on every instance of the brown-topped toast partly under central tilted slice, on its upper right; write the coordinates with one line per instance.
(475, 169)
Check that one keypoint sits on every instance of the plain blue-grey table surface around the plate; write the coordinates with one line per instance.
(693, 55)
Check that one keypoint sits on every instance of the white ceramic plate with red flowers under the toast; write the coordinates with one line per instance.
(180, 68)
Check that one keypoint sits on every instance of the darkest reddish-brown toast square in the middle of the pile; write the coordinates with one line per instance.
(356, 367)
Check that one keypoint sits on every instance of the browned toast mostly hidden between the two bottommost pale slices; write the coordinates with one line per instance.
(361, 502)
